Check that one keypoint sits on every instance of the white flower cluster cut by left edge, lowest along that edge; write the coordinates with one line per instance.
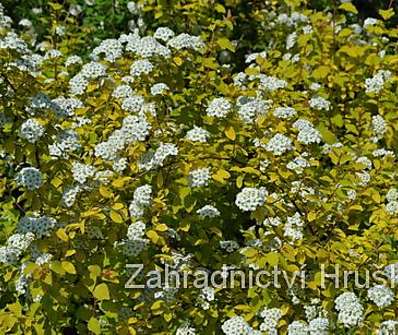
(16, 245)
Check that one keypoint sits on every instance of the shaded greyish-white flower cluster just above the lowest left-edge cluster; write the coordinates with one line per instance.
(40, 226)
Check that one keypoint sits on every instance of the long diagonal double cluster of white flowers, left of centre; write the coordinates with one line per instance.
(134, 128)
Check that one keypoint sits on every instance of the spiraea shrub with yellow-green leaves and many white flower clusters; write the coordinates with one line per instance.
(151, 152)
